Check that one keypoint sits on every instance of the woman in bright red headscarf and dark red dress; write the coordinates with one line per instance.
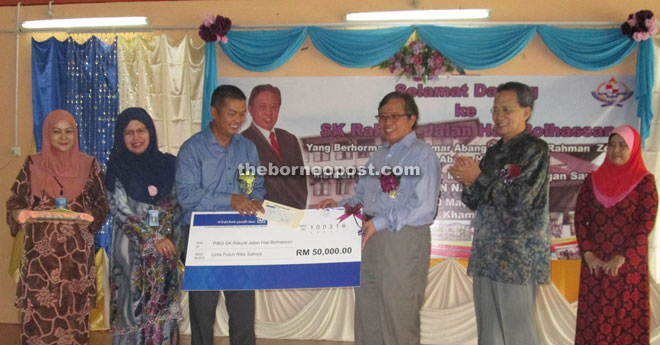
(614, 213)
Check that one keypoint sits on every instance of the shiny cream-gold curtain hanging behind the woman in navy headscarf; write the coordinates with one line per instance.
(167, 79)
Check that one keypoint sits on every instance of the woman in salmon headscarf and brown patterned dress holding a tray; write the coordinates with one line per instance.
(57, 285)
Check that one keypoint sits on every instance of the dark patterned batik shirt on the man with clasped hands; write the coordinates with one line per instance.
(511, 238)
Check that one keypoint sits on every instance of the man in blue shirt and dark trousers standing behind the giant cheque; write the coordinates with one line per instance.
(207, 180)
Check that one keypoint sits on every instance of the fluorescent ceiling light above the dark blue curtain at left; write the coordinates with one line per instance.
(85, 23)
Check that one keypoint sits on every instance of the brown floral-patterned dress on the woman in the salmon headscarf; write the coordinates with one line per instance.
(57, 285)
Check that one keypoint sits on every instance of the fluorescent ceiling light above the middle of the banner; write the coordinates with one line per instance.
(419, 15)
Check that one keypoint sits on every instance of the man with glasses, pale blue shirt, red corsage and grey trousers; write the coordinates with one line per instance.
(396, 238)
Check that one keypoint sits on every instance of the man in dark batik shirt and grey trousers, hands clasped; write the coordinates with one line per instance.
(511, 245)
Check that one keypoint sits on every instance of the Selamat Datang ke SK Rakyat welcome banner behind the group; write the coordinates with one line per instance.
(333, 118)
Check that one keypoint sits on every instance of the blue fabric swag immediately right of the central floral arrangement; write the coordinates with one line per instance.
(477, 48)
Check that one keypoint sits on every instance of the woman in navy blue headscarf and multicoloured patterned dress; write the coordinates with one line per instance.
(144, 276)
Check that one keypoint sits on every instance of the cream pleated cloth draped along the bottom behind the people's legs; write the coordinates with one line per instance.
(447, 314)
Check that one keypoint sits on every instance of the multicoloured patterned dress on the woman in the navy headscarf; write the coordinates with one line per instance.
(145, 286)
